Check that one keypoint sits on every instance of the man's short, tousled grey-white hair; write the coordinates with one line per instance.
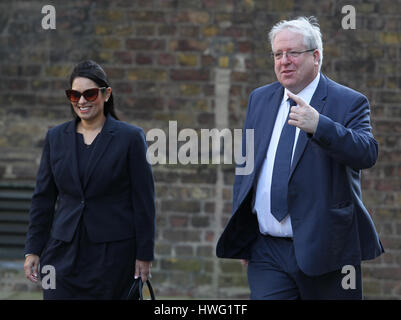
(307, 26)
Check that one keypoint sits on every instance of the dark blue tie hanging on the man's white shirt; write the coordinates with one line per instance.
(281, 170)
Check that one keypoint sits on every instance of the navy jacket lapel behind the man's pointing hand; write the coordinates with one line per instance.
(317, 102)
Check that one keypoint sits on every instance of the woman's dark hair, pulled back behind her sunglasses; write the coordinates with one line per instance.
(92, 70)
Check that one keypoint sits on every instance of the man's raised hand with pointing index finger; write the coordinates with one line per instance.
(303, 116)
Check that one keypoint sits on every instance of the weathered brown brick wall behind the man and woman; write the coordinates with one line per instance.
(195, 62)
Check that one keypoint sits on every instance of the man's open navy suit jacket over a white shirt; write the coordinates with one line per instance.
(331, 226)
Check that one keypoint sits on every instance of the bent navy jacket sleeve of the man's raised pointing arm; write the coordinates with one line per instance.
(351, 144)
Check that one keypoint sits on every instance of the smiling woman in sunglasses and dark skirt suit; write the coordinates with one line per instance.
(92, 215)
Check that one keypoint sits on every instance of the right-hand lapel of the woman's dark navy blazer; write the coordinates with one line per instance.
(100, 147)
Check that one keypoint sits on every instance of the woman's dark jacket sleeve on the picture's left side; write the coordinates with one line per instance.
(42, 205)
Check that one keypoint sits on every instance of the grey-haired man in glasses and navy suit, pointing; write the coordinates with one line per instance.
(298, 219)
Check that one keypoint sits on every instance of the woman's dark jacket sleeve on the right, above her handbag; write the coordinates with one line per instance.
(143, 197)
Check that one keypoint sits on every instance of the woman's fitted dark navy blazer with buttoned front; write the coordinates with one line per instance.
(116, 200)
